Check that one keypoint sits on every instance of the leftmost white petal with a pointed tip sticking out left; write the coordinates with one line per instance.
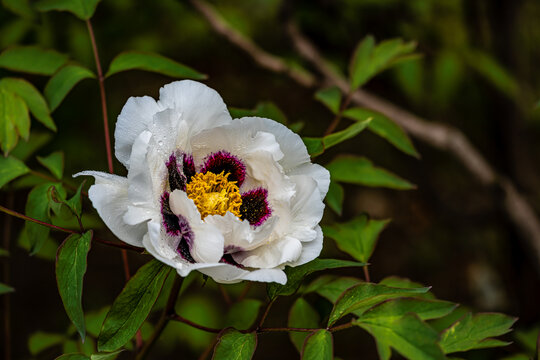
(109, 195)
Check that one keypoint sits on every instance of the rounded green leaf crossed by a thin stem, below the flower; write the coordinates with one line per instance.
(302, 315)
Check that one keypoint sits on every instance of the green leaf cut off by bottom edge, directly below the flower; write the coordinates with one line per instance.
(234, 345)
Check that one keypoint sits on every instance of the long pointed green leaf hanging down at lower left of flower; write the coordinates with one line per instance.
(70, 270)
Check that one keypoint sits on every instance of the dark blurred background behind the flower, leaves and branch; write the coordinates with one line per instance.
(479, 72)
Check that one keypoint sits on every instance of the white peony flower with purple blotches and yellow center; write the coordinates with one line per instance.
(234, 199)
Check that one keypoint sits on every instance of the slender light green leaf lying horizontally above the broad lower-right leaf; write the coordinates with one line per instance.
(396, 308)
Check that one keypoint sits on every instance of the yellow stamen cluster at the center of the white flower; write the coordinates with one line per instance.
(214, 194)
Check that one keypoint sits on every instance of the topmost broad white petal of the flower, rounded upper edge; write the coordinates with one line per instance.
(200, 106)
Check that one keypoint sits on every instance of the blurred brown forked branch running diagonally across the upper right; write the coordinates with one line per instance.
(440, 136)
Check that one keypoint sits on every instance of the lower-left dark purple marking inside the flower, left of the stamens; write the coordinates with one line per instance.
(177, 226)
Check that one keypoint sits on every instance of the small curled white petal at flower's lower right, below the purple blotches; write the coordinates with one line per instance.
(276, 253)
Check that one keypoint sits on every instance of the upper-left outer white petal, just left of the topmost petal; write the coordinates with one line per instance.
(134, 118)
